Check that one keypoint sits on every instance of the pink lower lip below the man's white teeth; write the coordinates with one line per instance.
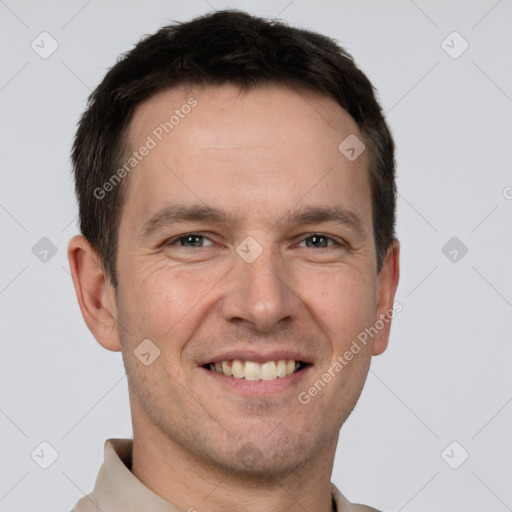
(259, 387)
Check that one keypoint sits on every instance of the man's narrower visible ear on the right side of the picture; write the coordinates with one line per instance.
(387, 282)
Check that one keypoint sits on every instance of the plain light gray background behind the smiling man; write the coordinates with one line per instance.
(446, 374)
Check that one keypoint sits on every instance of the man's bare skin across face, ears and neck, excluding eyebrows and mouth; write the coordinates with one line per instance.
(258, 155)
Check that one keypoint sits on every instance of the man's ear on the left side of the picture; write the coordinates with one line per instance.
(95, 293)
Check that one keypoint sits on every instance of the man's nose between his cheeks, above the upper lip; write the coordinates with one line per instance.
(260, 293)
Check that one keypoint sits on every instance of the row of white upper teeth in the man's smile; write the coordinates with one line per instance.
(255, 371)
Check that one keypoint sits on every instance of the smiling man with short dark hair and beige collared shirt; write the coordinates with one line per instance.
(235, 179)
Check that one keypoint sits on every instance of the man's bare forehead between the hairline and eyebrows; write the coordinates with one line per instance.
(272, 145)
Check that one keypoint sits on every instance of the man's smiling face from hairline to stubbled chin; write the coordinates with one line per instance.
(246, 244)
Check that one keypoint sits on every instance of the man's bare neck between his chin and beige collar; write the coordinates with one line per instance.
(181, 478)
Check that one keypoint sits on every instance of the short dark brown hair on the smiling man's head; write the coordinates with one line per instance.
(224, 47)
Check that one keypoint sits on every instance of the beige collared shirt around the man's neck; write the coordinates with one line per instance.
(118, 490)
